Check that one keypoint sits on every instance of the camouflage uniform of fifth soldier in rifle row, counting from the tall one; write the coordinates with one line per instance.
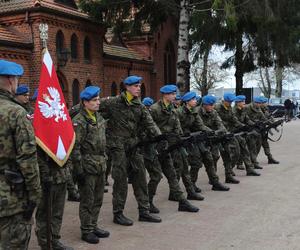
(239, 146)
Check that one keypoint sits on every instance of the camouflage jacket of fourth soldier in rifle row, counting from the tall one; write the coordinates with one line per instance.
(212, 119)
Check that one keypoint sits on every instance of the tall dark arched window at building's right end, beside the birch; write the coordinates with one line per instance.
(169, 64)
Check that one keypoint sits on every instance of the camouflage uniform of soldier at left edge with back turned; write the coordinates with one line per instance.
(18, 154)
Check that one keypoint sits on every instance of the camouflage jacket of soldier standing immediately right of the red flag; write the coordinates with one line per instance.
(89, 151)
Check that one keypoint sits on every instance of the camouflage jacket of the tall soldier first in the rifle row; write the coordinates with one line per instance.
(125, 120)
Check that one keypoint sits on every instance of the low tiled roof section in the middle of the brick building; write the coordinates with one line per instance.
(123, 52)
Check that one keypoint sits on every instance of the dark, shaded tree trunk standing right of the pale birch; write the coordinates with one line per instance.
(239, 71)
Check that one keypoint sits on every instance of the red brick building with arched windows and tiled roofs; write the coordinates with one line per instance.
(80, 51)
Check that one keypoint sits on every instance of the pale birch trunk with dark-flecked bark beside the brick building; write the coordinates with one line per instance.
(183, 64)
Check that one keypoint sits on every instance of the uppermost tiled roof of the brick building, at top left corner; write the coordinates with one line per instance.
(7, 6)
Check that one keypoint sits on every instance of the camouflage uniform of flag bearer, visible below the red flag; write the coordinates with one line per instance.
(54, 180)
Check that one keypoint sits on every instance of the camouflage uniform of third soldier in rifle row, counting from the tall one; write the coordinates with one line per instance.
(198, 152)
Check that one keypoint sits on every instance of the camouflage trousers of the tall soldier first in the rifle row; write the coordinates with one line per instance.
(124, 164)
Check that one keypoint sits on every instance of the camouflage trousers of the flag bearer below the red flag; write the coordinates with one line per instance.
(57, 196)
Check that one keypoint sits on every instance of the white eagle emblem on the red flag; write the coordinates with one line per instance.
(53, 107)
